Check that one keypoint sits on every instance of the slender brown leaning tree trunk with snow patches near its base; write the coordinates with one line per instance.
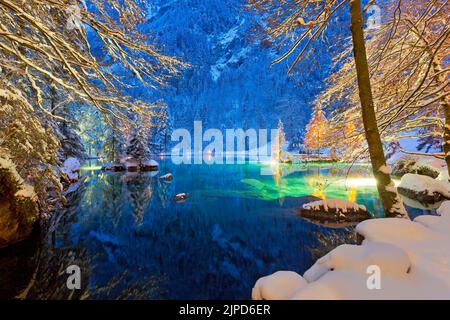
(392, 203)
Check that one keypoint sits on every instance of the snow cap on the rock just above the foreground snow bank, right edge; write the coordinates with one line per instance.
(420, 183)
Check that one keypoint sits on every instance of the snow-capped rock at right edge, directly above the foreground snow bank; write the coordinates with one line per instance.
(423, 188)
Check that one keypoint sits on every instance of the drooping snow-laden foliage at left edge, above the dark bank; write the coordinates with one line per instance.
(30, 142)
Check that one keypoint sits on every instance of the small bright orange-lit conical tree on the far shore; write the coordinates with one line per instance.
(316, 130)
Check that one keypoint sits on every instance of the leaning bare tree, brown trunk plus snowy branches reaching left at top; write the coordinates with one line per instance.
(305, 21)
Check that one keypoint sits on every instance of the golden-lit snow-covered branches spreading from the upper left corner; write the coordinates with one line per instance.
(47, 41)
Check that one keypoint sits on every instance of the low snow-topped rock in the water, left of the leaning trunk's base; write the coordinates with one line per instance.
(334, 210)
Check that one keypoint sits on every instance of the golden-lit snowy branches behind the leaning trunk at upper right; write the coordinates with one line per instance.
(409, 74)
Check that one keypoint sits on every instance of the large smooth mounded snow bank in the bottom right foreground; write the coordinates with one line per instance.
(413, 258)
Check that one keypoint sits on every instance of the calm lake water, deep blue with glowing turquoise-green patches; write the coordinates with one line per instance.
(132, 241)
